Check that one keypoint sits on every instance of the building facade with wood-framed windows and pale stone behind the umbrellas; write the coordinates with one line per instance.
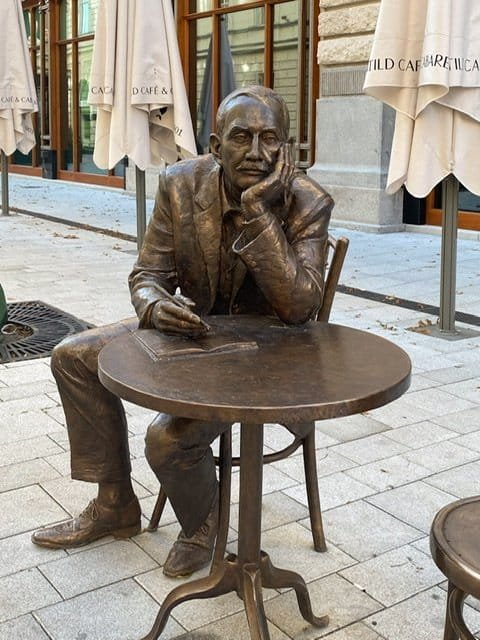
(313, 52)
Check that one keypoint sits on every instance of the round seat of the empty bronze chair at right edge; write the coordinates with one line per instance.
(455, 544)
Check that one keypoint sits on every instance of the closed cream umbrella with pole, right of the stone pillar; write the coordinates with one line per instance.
(425, 63)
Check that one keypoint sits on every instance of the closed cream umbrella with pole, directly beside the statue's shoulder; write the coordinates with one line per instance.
(137, 85)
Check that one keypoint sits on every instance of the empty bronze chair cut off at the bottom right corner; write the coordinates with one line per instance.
(455, 548)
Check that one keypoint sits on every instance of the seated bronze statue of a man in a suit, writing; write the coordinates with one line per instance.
(235, 231)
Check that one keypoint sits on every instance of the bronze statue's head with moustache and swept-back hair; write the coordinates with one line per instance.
(252, 123)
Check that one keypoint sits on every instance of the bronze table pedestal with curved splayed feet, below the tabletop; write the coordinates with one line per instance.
(252, 569)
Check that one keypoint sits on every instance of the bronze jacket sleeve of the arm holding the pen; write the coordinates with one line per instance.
(154, 275)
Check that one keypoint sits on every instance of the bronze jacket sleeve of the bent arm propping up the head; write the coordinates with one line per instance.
(287, 257)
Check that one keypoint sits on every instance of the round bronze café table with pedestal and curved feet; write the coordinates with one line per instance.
(278, 374)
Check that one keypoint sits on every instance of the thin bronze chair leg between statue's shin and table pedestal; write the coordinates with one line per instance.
(225, 477)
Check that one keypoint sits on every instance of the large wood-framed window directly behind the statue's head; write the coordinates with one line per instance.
(232, 43)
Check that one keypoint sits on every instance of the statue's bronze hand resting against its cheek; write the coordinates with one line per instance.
(272, 187)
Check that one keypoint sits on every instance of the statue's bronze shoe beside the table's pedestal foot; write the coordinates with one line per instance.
(188, 555)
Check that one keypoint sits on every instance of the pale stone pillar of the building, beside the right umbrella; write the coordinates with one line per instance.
(354, 132)
